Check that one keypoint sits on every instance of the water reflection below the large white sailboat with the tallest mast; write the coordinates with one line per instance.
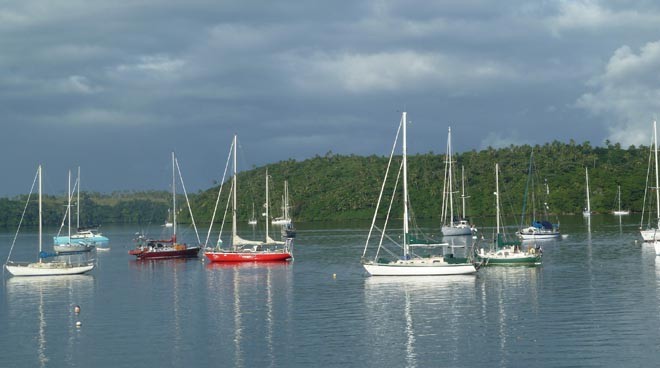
(406, 312)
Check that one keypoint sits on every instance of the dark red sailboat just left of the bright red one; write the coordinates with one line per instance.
(147, 248)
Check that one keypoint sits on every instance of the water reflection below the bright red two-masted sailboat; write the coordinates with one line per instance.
(248, 297)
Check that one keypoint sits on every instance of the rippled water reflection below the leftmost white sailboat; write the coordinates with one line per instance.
(37, 302)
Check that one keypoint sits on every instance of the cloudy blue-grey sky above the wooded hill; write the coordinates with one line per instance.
(115, 86)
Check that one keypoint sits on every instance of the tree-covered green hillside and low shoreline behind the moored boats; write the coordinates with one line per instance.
(346, 187)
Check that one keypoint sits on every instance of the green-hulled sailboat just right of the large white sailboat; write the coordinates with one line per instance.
(507, 252)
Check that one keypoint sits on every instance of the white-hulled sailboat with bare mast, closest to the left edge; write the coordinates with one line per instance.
(40, 267)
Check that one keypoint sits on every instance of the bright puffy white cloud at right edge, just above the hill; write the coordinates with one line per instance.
(627, 94)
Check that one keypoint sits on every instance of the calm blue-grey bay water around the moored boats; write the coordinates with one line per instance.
(595, 302)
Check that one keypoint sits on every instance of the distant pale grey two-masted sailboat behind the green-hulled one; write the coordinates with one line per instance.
(452, 226)
